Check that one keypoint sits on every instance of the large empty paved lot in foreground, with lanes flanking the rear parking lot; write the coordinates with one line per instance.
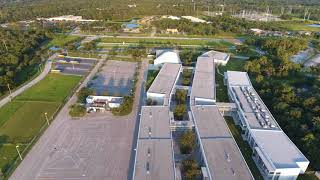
(93, 148)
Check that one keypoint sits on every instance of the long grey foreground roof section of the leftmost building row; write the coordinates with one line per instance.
(154, 159)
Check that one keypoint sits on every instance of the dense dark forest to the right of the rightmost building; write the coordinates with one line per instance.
(290, 91)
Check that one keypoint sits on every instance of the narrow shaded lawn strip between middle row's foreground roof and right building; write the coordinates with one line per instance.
(244, 148)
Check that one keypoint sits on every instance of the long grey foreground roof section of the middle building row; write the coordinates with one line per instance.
(223, 158)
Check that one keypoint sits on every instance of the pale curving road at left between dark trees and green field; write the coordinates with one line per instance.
(43, 74)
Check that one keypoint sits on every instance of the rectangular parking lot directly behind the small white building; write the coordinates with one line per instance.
(115, 78)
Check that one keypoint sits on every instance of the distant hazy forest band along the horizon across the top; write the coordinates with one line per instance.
(12, 10)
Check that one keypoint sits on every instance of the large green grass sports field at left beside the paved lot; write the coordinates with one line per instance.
(22, 119)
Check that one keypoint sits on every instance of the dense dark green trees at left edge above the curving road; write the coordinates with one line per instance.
(20, 56)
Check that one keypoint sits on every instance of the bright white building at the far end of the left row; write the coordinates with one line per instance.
(166, 56)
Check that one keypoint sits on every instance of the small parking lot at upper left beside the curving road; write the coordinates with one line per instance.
(73, 66)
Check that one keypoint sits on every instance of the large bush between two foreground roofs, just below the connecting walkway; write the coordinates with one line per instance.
(187, 142)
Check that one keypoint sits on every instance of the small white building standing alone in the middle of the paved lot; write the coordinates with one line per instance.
(102, 103)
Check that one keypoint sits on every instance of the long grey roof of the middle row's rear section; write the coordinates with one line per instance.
(203, 85)
